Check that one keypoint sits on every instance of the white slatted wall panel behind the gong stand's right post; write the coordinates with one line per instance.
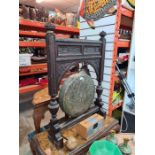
(106, 24)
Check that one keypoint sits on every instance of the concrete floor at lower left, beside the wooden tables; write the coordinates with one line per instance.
(26, 124)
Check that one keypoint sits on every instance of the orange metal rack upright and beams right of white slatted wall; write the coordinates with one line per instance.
(121, 13)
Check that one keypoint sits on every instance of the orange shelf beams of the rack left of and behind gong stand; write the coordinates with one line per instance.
(29, 28)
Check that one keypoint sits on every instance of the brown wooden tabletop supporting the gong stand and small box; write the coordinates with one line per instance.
(41, 145)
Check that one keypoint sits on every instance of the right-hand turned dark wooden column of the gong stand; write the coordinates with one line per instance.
(99, 88)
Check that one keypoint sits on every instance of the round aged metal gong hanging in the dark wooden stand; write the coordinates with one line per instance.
(77, 94)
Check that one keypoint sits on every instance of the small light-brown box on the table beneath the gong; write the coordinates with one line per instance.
(90, 126)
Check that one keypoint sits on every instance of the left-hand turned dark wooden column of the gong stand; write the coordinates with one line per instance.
(54, 132)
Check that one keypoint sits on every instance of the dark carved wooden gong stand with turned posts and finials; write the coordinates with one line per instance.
(63, 54)
